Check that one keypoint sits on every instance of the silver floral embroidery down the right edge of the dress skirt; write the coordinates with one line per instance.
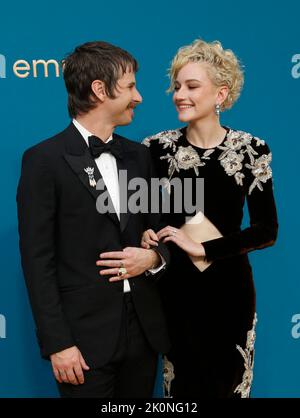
(244, 387)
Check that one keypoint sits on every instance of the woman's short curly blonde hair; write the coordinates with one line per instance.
(224, 69)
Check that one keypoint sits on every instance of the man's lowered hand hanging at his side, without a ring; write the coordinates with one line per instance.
(67, 366)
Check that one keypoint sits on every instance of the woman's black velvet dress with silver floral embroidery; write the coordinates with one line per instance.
(211, 314)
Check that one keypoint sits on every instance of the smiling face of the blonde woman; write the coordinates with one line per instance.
(195, 95)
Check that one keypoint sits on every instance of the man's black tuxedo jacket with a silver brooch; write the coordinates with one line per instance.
(61, 237)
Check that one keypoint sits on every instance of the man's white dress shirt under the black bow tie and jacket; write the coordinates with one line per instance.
(107, 166)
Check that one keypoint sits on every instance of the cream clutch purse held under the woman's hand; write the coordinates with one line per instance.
(200, 229)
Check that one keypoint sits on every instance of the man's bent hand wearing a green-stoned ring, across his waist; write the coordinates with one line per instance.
(135, 260)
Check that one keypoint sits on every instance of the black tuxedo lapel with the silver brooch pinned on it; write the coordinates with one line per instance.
(79, 159)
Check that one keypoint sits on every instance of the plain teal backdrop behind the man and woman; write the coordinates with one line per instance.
(266, 37)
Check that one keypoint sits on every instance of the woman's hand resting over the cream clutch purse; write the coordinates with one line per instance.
(180, 238)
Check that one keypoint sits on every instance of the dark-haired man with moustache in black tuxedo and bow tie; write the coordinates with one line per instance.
(102, 332)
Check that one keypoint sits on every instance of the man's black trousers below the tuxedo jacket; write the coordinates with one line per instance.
(131, 371)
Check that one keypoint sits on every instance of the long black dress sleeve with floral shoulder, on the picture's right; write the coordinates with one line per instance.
(263, 228)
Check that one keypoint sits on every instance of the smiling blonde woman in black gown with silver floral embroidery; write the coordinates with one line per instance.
(211, 314)
